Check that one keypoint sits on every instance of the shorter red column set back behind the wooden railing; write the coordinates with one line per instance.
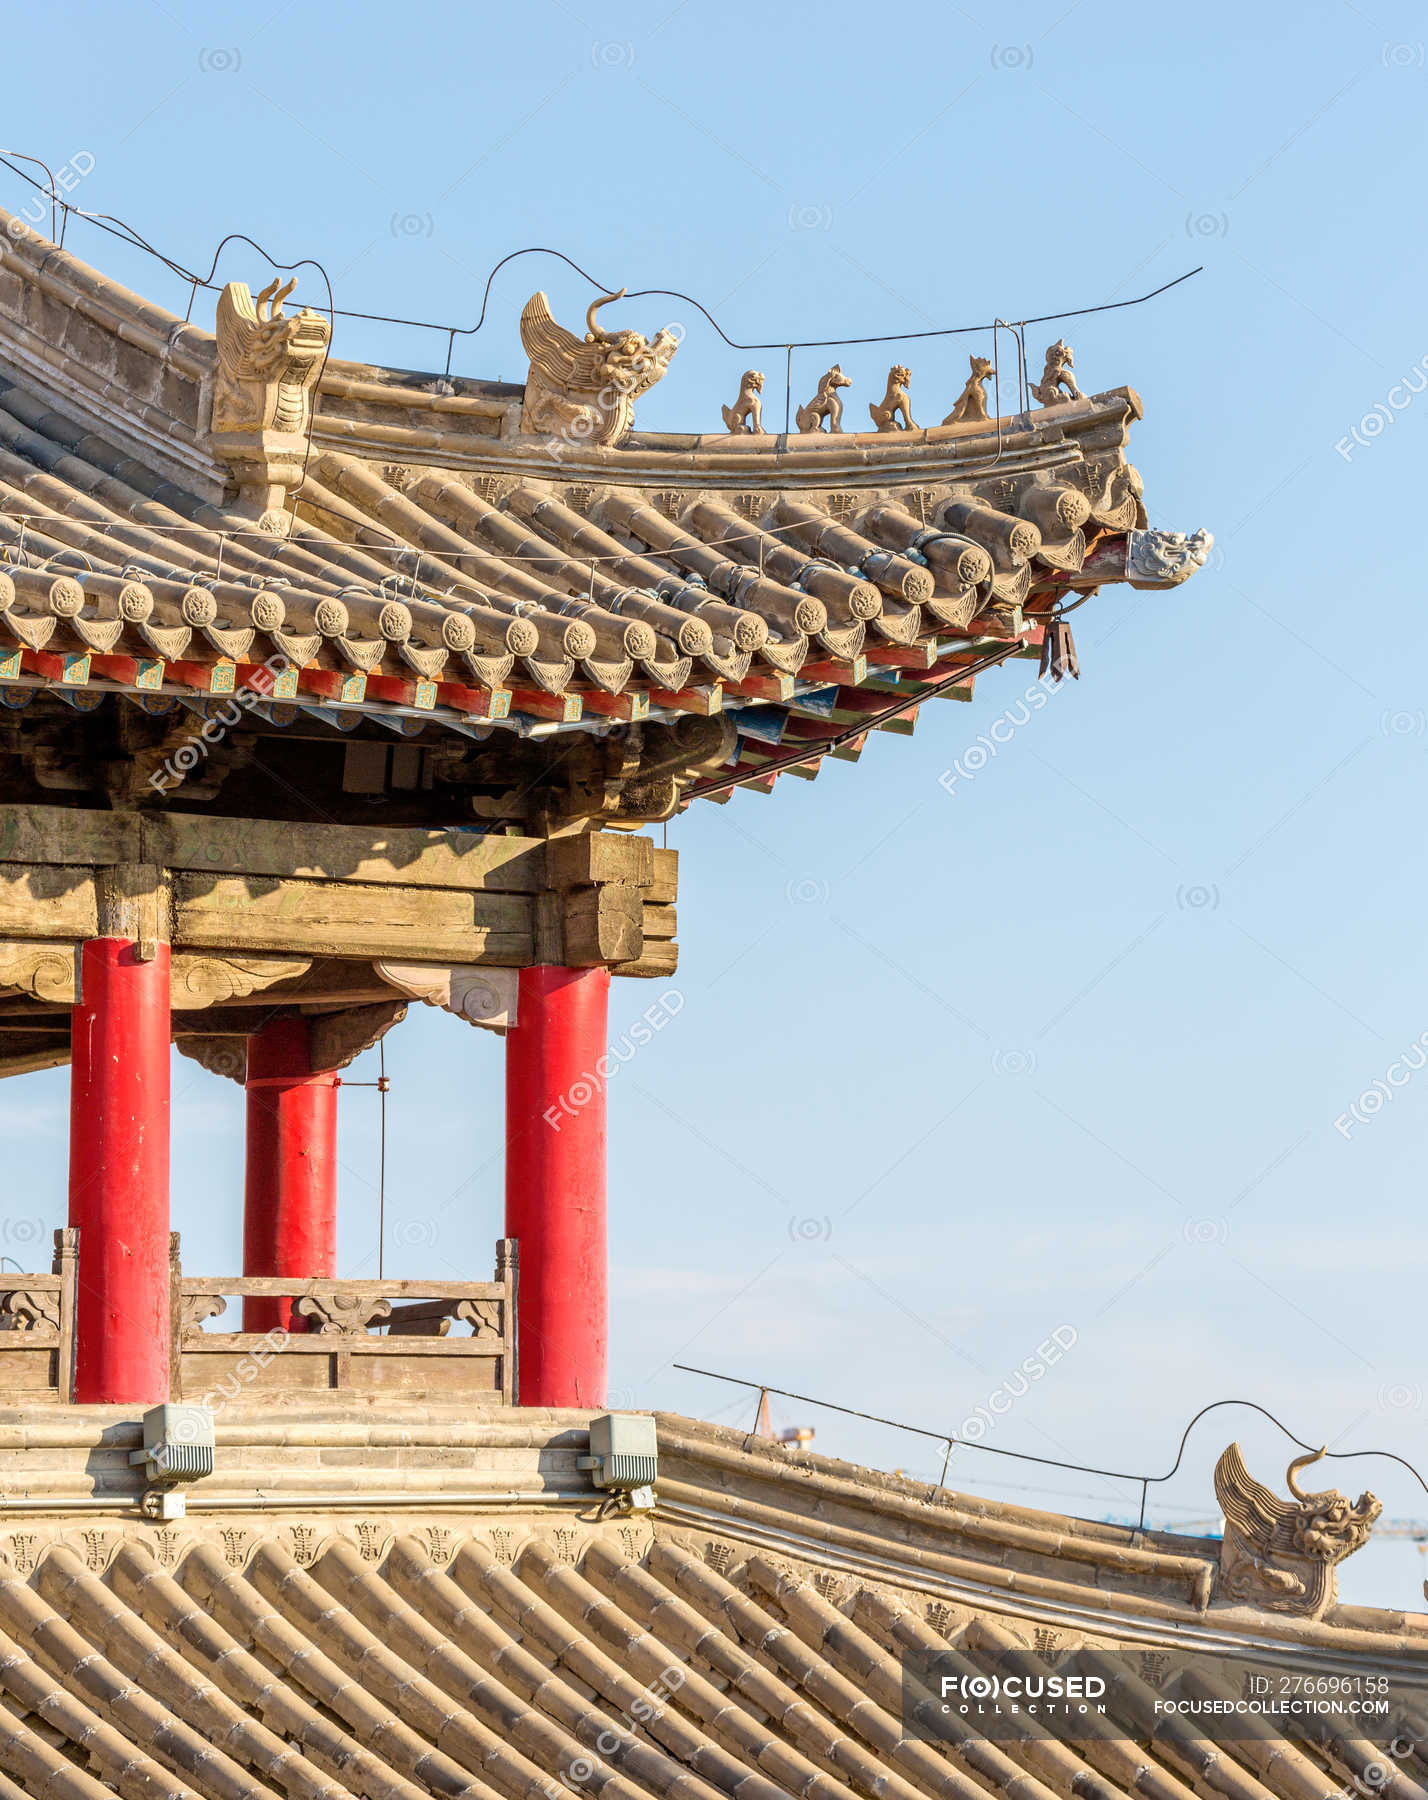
(291, 1174)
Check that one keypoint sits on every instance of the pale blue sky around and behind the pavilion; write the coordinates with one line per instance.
(1069, 1047)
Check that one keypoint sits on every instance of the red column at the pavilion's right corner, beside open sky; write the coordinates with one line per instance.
(556, 1183)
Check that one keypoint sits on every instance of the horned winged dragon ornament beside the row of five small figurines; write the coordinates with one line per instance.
(584, 393)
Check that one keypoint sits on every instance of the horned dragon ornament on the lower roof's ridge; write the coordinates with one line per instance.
(1281, 1554)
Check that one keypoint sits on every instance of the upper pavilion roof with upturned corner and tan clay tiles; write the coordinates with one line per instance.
(449, 571)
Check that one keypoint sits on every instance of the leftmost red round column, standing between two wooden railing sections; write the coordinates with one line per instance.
(120, 1173)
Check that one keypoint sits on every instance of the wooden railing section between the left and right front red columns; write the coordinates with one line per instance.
(417, 1338)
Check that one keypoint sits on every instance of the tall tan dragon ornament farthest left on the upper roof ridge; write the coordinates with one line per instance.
(262, 397)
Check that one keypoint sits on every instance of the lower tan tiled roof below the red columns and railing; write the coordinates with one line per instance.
(500, 1632)
